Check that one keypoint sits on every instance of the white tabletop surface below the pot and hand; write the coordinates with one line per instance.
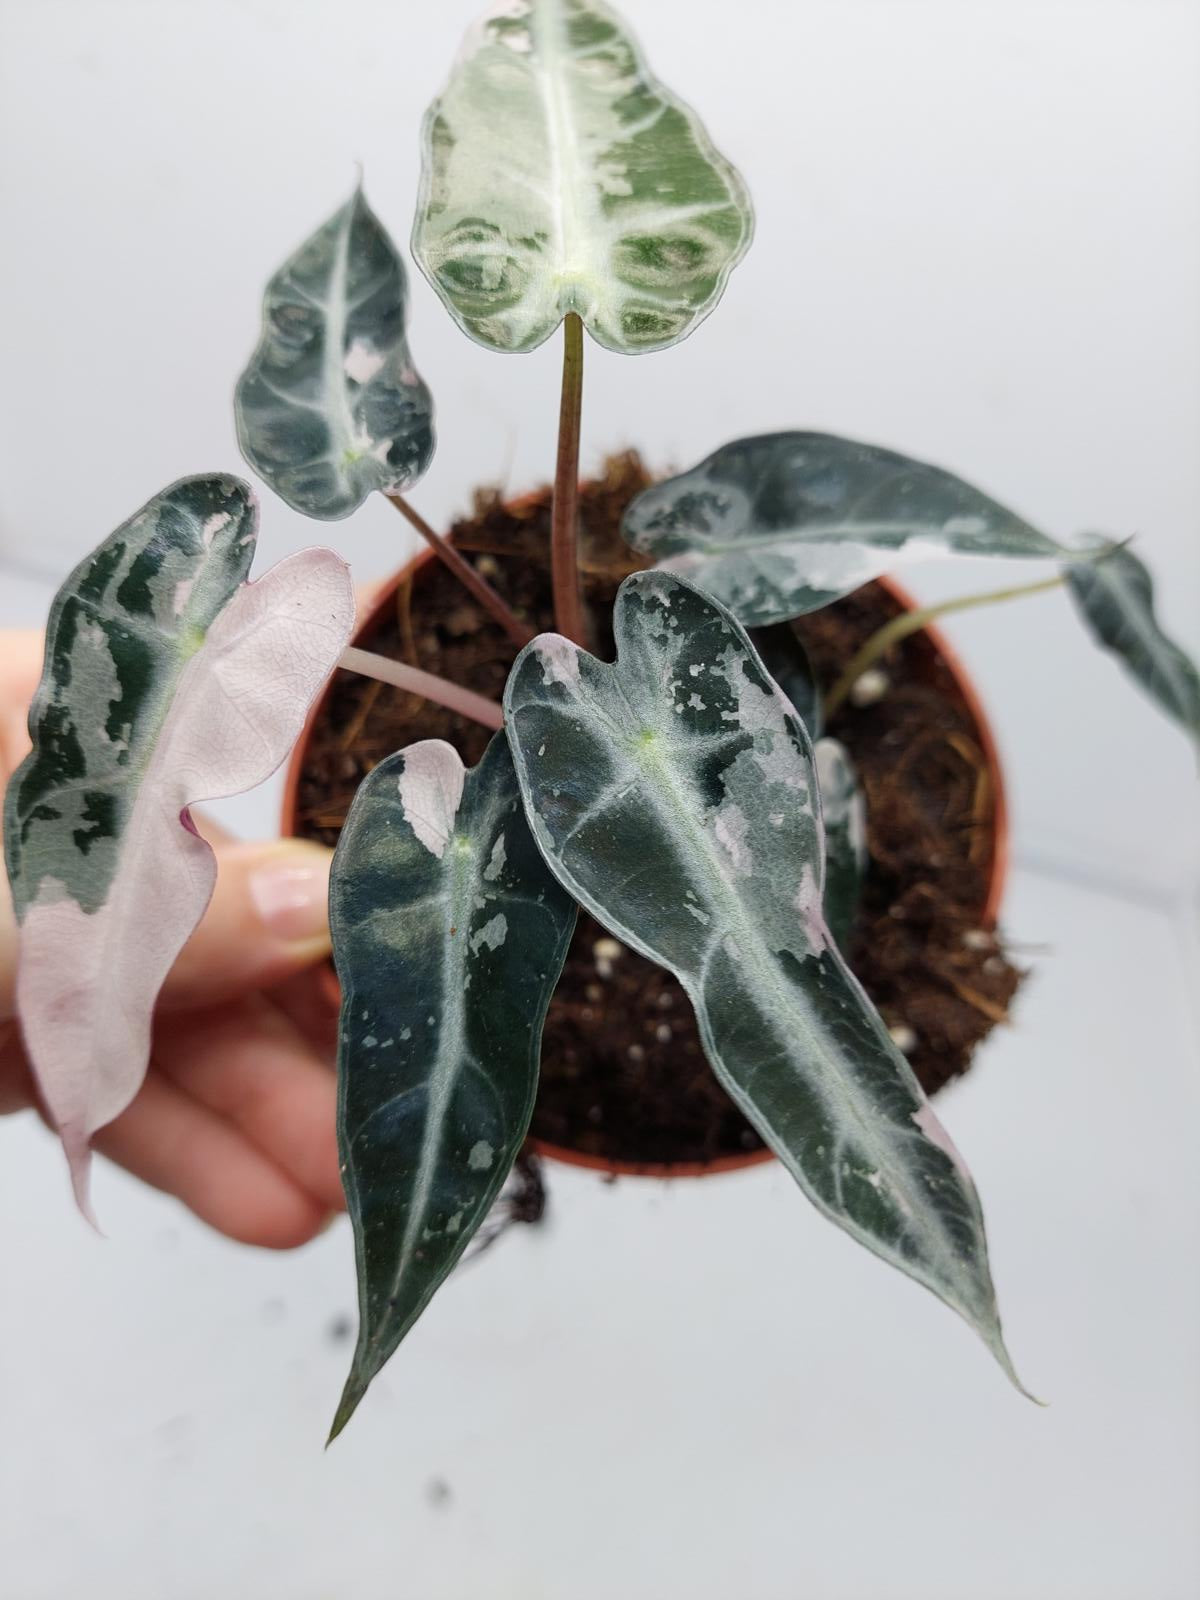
(695, 1390)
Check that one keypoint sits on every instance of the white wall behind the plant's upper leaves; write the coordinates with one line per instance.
(978, 241)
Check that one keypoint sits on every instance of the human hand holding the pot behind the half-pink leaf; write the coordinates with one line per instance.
(238, 1113)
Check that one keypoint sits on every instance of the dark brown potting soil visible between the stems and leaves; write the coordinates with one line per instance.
(623, 1071)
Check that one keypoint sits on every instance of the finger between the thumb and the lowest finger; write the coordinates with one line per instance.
(254, 1068)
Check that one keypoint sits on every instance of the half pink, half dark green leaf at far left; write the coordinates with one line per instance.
(169, 681)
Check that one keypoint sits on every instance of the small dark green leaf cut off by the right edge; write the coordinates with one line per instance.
(1114, 594)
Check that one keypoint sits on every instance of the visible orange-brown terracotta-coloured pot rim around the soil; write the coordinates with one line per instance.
(724, 1164)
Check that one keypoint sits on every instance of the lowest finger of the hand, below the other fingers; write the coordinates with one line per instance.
(174, 1143)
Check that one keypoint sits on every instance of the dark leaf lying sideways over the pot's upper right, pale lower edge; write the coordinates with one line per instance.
(783, 524)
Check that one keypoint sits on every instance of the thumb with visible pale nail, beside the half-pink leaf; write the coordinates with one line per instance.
(268, 919)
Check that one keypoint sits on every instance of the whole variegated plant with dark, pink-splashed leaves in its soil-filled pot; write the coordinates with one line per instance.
(681, 758)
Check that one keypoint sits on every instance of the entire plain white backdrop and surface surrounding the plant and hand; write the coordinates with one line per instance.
(978, 242)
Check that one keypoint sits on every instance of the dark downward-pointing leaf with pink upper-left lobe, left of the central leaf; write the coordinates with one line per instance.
(449, 935)
